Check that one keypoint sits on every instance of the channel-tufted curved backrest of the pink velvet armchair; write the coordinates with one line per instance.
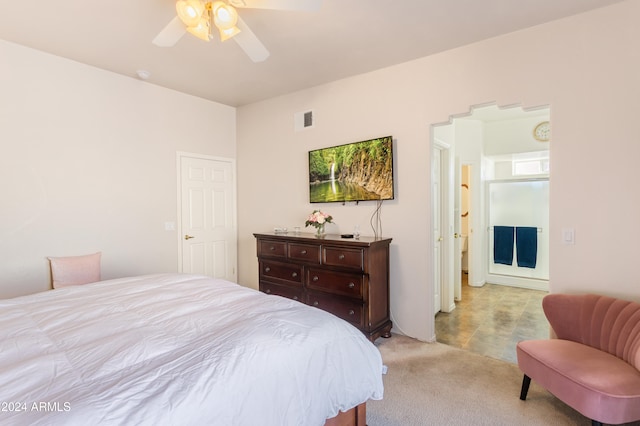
(606, 323)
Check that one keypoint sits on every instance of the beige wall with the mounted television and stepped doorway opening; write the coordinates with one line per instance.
(585, 67)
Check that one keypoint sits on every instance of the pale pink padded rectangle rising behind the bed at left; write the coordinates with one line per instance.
(75, 270)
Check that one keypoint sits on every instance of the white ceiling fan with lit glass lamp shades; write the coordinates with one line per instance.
(200, 17)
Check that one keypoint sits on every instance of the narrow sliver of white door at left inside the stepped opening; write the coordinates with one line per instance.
(437, 229)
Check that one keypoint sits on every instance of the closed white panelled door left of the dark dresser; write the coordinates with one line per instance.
(208, 233)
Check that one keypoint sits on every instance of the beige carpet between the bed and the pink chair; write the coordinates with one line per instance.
(436, 384)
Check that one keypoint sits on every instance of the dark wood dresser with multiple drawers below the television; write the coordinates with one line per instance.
(344, 276)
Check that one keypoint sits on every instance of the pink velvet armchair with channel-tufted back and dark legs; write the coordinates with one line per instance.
(593, 364)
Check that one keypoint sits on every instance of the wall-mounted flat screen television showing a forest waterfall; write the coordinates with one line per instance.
(358, 171)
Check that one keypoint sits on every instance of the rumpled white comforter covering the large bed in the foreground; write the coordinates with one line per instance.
(178, 350)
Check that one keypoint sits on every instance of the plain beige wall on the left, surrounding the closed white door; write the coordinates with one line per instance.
(88, 163)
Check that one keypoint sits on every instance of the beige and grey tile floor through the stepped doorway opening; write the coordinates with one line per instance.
(491, 319)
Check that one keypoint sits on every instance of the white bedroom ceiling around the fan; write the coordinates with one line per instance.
(343, 38)
